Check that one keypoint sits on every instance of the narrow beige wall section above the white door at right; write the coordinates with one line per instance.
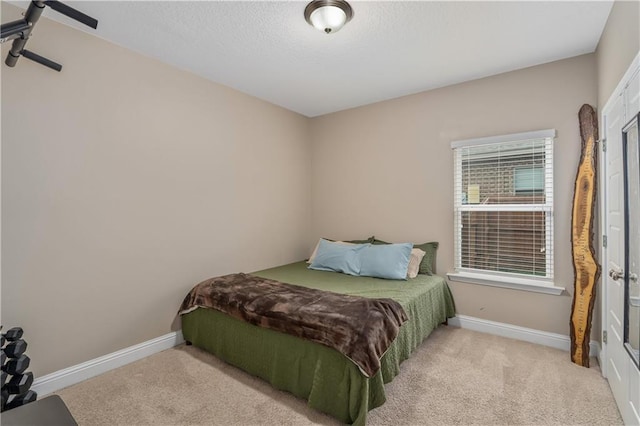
(619, 44)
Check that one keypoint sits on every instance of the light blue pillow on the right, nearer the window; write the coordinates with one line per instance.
(386, 261)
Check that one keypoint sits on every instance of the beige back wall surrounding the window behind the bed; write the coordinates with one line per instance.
(387, 169)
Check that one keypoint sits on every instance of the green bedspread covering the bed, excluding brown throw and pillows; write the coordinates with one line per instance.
(329, 381)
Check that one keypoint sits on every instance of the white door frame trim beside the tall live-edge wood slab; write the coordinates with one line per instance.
(634, 67)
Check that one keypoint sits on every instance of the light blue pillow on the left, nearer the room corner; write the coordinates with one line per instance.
(338, 257)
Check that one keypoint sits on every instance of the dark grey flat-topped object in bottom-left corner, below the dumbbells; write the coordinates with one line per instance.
(47, 411)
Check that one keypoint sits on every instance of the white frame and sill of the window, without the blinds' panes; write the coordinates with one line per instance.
(493, 278)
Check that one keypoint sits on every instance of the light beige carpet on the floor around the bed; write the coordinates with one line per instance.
(457, 376)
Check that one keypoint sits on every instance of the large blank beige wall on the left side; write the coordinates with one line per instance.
(124, 183)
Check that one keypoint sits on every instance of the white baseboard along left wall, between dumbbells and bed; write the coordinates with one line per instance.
(75, 374)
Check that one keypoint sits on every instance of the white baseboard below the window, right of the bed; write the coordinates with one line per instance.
(554, 340)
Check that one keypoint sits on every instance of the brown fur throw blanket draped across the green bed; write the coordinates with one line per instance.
(358, 327)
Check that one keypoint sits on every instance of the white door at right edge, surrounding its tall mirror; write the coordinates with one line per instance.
(618, 365)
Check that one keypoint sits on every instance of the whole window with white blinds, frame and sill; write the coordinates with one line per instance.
(503, 205)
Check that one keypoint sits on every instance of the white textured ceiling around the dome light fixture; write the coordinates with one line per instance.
(389, 49)
